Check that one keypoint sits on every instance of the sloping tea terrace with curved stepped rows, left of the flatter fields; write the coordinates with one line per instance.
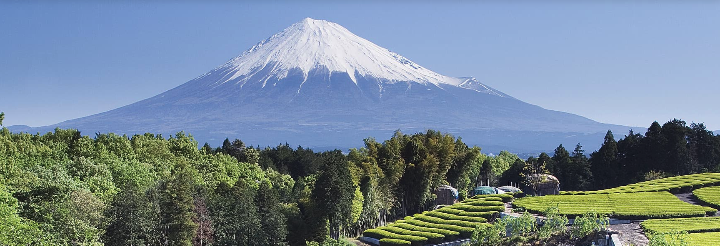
(441, 225)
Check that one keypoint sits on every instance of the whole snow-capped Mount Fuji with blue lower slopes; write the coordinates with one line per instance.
(319, 85)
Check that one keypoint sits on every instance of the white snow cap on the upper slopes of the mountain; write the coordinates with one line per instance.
(311, 44)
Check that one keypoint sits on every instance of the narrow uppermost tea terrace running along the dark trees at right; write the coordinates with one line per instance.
(678, 184)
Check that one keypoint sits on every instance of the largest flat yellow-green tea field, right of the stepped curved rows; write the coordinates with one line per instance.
(641, 205)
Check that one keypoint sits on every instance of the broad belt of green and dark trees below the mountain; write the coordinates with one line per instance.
(63, 188)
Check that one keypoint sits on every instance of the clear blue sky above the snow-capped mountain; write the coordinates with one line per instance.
(611, 61)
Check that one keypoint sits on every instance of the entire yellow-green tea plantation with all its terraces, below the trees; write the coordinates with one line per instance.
(652, 201)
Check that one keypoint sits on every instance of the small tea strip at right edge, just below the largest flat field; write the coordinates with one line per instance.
(701, 224)
